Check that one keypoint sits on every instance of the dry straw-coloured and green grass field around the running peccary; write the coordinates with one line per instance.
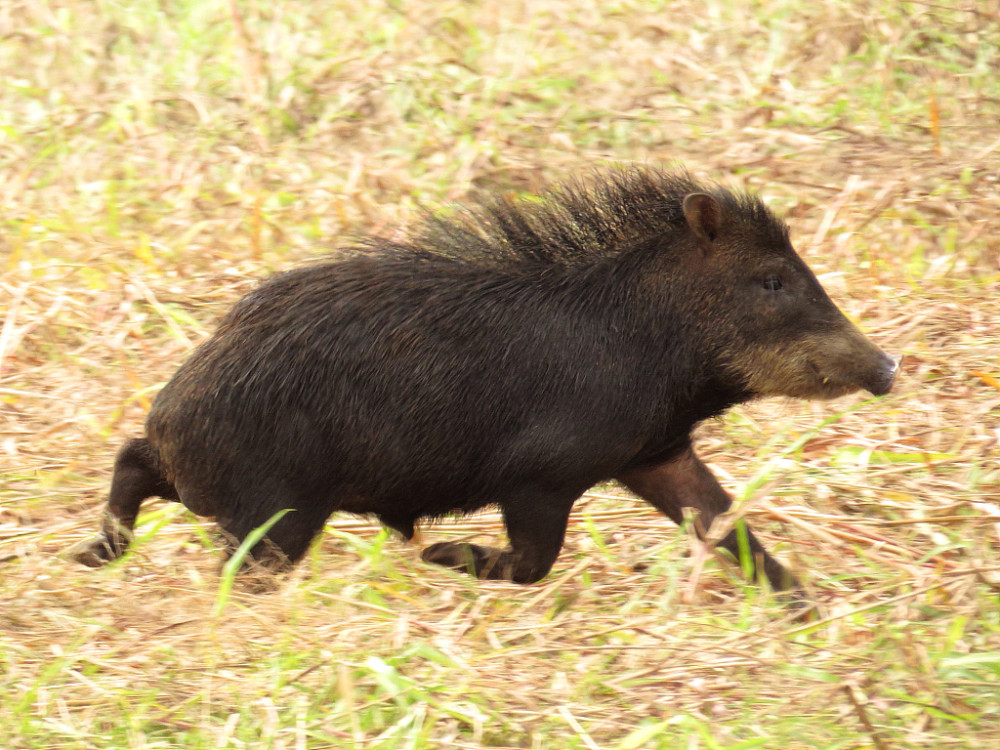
(158, 158)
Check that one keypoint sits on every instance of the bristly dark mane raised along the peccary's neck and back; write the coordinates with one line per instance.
(572, 224)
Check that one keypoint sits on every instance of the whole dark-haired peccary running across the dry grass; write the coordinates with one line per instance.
(513, 354)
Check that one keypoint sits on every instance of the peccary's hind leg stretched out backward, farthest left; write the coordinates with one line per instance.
(134, 479)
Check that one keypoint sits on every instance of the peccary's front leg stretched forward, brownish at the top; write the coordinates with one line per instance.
(685, 482)
